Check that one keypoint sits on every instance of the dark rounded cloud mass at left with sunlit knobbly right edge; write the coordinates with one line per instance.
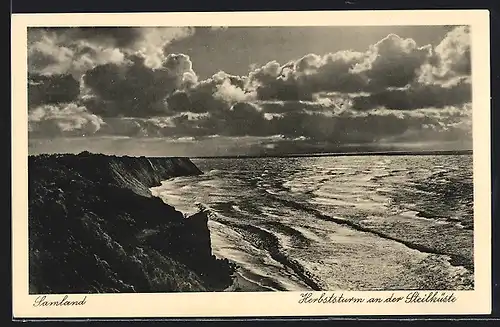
(136, 90)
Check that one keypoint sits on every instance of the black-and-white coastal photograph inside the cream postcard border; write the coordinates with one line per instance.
(180, 159)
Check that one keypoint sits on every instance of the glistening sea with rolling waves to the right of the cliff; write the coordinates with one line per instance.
(371, 222)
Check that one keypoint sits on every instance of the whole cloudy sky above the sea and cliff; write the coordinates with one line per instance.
(233, 91)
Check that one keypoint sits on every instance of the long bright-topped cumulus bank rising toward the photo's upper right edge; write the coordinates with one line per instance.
(392, 63)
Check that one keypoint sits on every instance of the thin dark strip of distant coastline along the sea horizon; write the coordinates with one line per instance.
(345, 154)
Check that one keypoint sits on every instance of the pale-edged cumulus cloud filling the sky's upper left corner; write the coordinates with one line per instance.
(74, 50)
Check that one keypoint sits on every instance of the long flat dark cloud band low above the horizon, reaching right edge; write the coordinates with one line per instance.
(244, 119)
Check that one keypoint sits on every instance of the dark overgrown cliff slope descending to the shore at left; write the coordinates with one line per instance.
(94, 227)
